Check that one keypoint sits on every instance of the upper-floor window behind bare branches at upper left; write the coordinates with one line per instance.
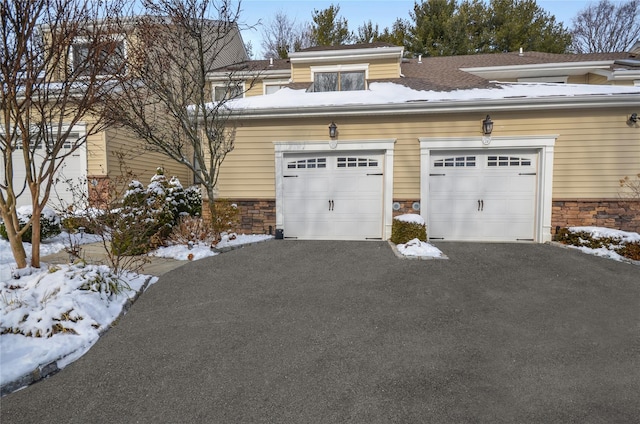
(106, 56)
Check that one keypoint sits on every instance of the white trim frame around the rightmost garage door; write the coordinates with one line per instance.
(543, 144)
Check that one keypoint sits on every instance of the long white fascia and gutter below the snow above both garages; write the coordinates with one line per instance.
(414, 108)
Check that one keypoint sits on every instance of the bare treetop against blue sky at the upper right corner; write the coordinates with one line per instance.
(606, 27)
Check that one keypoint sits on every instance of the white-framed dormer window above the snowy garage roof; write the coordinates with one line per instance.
(339, 78)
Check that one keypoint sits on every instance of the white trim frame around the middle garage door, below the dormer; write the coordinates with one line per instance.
(386, 146)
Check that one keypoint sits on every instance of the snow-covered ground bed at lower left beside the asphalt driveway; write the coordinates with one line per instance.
(58, 313)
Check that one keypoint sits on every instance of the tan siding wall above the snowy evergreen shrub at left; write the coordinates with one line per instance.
(126, 154)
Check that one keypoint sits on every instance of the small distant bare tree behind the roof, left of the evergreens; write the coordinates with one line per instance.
(282, 36)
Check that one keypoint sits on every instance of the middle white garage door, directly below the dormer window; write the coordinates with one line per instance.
(333, 196)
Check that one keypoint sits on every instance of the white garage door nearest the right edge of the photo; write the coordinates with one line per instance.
(482, 195)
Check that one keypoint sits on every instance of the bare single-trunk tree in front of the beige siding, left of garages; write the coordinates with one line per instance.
(166, 98)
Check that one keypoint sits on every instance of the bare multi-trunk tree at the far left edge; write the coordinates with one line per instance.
(54, 62)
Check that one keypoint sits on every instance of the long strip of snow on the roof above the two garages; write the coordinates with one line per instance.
(388, 93)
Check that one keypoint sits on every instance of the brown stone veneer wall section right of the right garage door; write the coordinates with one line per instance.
(621, 214)
